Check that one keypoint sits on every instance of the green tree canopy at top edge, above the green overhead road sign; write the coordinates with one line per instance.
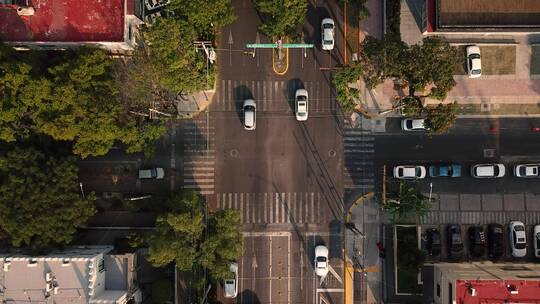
(281, 17)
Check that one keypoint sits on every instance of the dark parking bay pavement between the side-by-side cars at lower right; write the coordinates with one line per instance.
(507, 256)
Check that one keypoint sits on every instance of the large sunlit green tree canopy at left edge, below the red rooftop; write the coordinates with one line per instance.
(71, 96)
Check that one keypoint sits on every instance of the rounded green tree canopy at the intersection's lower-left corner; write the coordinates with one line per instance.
(185, 238)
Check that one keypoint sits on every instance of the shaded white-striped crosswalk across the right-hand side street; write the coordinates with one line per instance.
(359, 159)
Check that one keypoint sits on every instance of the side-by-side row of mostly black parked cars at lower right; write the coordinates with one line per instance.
(479, 241)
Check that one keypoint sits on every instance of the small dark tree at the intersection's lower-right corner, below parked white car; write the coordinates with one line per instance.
(406, 203)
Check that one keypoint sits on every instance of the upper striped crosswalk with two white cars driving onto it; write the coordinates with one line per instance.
(272, 96)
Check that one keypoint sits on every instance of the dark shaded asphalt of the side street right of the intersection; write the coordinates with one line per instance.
(508, 141)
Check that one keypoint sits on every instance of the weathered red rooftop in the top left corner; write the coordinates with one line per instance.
(63, 21)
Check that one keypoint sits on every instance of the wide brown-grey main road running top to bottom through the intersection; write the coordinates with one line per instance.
(285, 177)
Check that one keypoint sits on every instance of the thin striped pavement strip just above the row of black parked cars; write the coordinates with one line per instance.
(480, 217)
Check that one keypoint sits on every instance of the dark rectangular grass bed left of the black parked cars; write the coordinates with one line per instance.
(407, 281)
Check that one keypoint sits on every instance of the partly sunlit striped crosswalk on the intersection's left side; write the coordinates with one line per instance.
(199, 155)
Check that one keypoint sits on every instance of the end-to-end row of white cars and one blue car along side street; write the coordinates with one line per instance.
(453, 170)
